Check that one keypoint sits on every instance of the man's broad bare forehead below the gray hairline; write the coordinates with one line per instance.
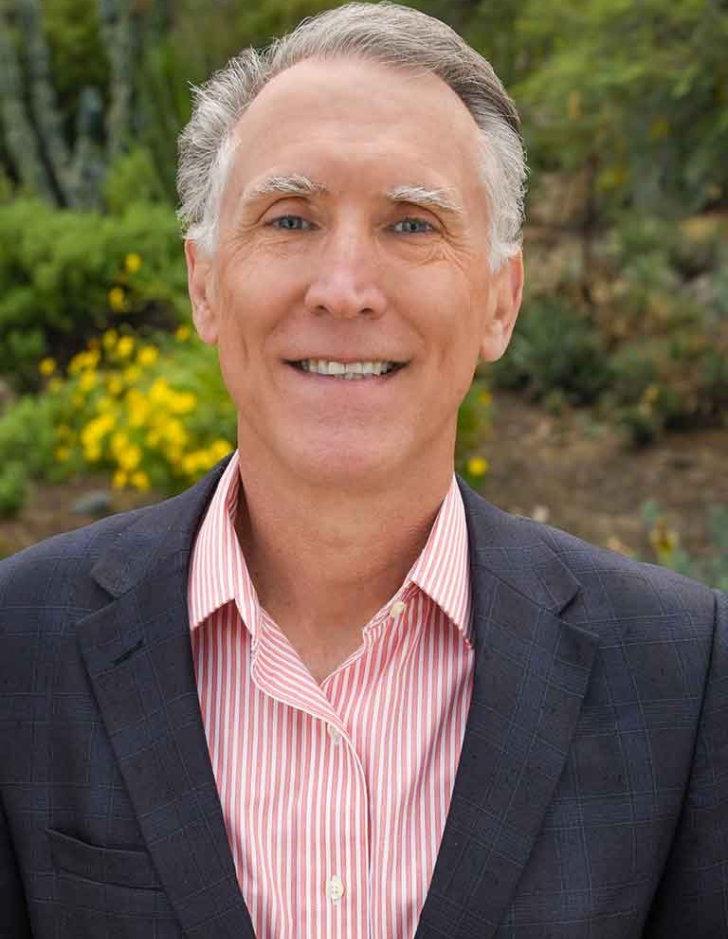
(354, 123)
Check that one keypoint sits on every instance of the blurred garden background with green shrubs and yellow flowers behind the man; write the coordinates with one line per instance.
(608, 415)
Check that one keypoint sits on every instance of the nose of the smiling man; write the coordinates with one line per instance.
(346, 283)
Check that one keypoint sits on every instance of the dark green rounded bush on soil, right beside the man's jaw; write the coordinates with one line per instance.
(554, 349)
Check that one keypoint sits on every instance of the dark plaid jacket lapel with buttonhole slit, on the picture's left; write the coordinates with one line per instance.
(138, 656)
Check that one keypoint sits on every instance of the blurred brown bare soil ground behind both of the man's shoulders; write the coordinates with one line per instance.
(564, 469)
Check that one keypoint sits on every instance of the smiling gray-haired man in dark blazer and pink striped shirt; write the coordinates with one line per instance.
(330, 691)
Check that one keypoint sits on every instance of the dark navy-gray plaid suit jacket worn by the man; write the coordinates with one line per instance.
(590, 800)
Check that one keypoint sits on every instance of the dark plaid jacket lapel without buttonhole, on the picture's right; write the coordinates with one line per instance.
(531, 673)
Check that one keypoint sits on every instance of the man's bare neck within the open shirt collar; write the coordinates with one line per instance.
(323, 559)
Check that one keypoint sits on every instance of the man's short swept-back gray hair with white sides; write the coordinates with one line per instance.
(387, 33)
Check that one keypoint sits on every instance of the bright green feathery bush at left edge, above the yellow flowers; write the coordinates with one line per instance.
(65, 276)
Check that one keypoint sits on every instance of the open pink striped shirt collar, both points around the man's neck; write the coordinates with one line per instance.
(219, 574)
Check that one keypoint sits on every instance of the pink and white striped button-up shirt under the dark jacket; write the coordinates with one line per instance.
(334, 795)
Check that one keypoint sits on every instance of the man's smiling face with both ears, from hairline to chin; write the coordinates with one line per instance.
(355, 261)
